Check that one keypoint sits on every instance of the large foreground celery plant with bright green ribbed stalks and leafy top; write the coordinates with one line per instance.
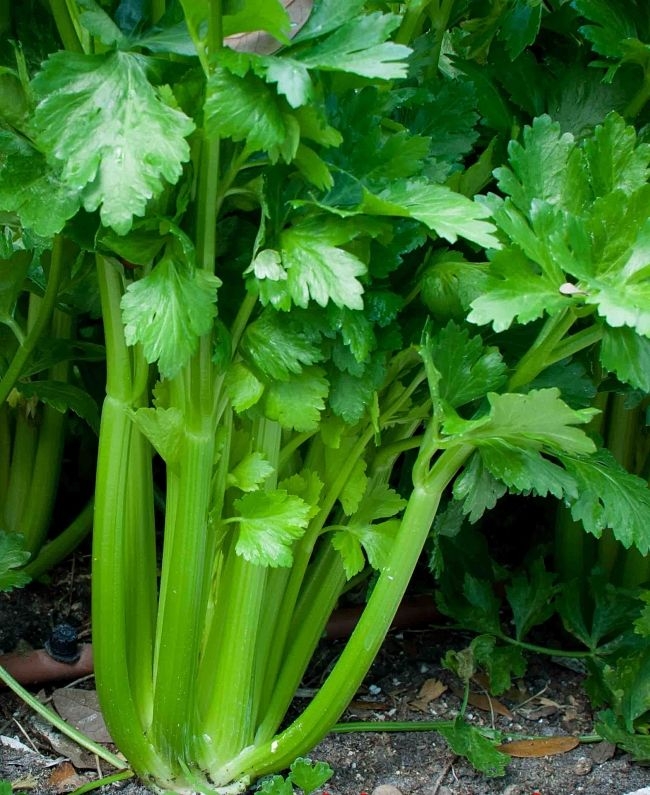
(301, 189)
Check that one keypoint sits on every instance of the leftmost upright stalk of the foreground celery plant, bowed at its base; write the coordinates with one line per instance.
(118, 615)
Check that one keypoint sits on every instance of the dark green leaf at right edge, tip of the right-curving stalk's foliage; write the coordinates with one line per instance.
(609, 496)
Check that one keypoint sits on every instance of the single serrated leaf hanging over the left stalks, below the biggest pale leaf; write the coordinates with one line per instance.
(168, 310)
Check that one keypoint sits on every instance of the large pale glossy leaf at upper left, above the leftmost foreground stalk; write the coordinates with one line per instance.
(116, 141)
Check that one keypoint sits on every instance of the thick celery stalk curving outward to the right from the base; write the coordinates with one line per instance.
(348, 673)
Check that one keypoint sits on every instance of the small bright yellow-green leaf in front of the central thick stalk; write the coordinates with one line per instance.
(269, 523)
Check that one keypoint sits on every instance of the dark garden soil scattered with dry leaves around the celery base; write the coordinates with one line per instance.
(406, 682)
